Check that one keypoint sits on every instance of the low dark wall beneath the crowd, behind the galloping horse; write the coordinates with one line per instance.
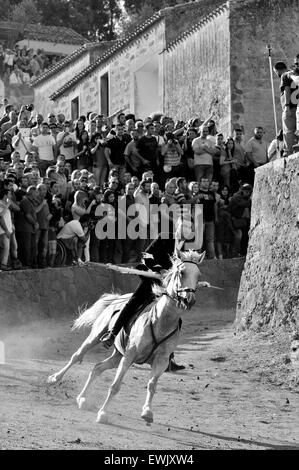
(36, 294)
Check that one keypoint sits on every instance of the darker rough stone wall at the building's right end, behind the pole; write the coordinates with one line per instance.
(253, 25)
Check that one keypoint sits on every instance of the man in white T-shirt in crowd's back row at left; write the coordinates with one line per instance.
(45, 145)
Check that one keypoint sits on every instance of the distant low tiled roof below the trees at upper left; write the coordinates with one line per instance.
(54, 34)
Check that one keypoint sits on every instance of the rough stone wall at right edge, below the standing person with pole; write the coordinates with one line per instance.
(269, 289)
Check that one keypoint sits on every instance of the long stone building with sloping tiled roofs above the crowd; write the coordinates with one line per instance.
(189, 60)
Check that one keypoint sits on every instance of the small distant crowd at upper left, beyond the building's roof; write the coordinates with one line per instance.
(23, 65)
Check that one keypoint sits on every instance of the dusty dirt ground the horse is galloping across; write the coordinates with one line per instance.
(237, 392)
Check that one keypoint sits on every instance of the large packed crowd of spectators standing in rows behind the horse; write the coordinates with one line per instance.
(56, 175)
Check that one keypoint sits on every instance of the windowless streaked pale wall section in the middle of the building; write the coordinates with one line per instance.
(197, 75)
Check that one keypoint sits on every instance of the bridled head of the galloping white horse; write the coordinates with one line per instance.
(185, 275)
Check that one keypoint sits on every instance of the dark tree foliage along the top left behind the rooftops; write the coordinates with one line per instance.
(93, 19)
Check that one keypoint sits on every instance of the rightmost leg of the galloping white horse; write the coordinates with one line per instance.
(158, 367)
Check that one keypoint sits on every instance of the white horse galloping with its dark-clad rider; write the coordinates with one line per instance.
(153, 336)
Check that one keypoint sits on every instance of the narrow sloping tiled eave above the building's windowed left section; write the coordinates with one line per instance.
(110, 52)
